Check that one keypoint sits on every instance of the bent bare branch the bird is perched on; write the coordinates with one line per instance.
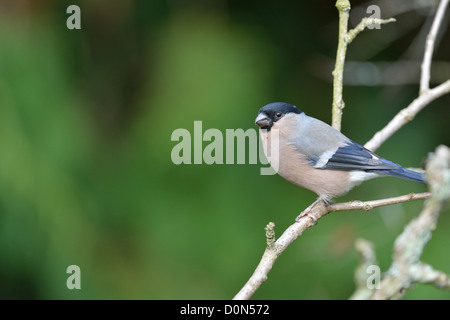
(273, 251)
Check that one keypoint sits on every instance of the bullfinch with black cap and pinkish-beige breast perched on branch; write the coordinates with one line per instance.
(318, 157)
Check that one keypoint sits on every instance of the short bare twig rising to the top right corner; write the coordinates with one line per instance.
(429, 47)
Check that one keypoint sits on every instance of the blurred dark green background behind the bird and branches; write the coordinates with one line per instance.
(86, 118)
